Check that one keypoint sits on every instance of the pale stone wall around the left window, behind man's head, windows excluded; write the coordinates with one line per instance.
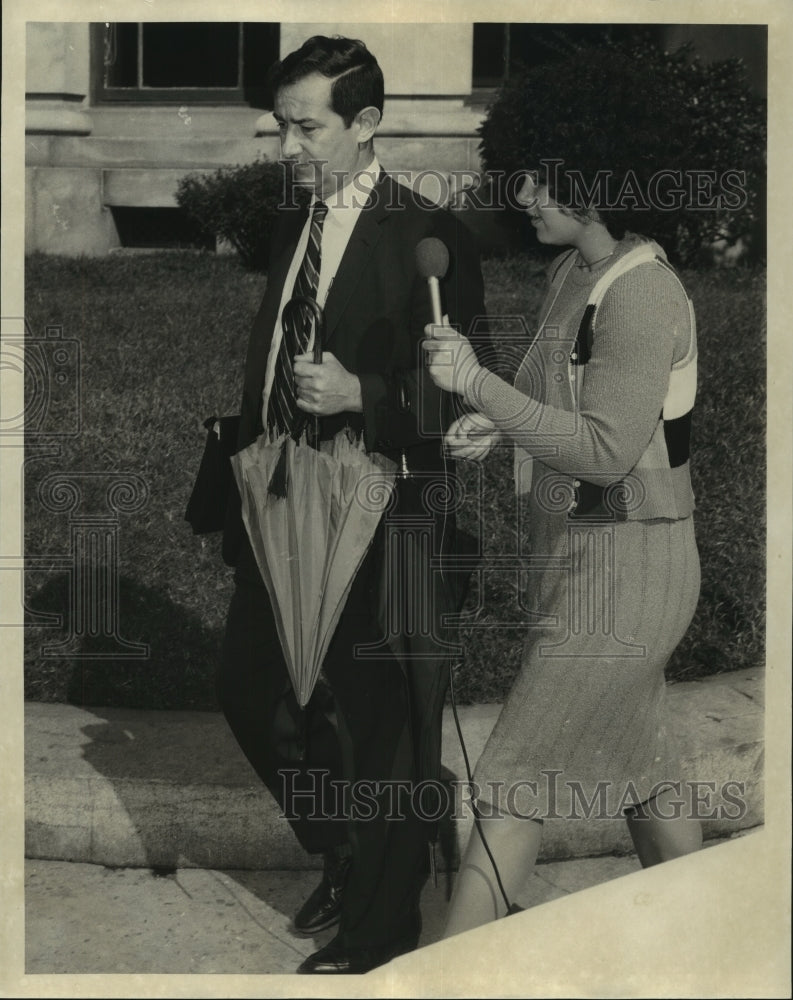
(83, 159)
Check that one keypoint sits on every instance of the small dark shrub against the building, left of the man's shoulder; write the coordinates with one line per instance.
(237, 204)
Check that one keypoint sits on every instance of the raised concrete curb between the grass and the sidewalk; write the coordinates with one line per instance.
(131, 788)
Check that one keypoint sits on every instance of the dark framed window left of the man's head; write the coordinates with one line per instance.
(209, 62)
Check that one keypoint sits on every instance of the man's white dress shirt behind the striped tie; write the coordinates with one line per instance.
(344, 206)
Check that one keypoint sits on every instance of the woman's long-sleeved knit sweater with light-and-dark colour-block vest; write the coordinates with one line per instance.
(605, 393)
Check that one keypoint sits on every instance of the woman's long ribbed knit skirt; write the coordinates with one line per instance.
(585, 720)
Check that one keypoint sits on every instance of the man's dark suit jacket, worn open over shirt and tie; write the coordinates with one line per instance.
(375, 315)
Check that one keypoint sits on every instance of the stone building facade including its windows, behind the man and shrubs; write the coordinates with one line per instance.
(116, 114)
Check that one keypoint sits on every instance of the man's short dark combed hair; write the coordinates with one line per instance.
(357, 77)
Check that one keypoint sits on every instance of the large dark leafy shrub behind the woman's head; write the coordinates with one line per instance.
(625, 111)
